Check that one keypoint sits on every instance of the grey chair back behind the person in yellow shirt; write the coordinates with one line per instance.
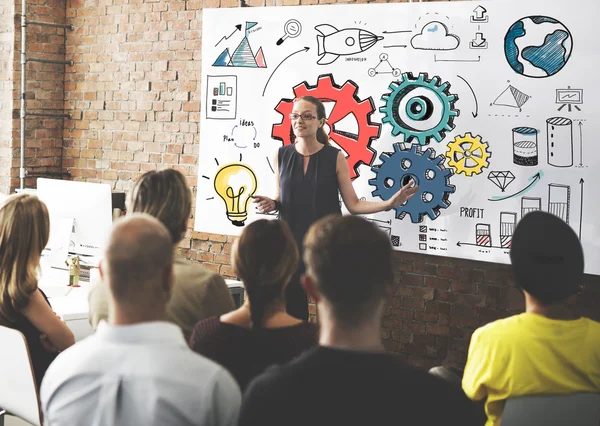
(578, 409)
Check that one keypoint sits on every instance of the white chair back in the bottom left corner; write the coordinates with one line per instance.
(18, 391)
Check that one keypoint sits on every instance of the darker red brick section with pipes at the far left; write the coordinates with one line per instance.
(44, 93)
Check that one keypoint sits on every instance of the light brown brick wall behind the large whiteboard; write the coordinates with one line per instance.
(134, 94)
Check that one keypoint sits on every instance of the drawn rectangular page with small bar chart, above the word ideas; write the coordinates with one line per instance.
(221, 97)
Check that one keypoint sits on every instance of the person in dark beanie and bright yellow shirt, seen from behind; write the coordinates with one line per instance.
(547, 349)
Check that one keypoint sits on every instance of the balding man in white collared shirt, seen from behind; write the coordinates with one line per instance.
(137, 369)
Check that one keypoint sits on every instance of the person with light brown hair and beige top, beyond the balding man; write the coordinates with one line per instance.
(197, 292)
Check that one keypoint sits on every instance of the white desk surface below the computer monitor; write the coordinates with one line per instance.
(71, 304)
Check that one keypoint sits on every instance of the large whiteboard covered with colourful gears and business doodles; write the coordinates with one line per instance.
(490, 106)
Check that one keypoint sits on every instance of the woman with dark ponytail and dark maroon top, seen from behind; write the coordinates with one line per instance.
(260, 333)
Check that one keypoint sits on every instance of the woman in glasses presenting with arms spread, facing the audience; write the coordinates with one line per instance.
(310, 176)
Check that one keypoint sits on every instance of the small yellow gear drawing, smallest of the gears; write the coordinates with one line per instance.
(468, 154)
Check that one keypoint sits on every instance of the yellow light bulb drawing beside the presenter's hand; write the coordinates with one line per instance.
(235, 184)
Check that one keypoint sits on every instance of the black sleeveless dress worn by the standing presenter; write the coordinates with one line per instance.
(305, 198)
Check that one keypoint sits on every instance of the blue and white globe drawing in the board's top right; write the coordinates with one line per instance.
(537, 46)
